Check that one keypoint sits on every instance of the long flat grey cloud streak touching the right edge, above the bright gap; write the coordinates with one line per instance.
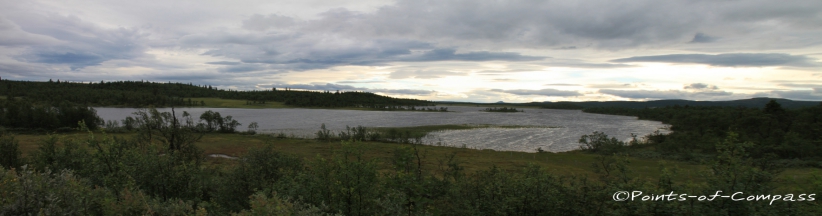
(731, 59)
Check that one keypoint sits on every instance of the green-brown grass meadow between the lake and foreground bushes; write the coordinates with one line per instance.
(565, 163)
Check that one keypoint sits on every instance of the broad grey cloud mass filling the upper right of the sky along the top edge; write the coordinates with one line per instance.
(546, 24)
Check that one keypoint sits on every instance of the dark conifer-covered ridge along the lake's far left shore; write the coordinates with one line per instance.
(145, 94)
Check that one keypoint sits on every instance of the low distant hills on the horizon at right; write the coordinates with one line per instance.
(750, 103)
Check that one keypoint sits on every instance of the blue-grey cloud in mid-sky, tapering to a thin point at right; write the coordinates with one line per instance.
(305, 53)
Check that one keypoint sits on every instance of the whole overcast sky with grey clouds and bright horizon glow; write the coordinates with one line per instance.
(472, 50)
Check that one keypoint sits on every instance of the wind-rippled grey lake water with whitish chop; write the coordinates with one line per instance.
(569, 124)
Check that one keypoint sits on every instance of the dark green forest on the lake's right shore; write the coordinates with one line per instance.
(792, 135)
